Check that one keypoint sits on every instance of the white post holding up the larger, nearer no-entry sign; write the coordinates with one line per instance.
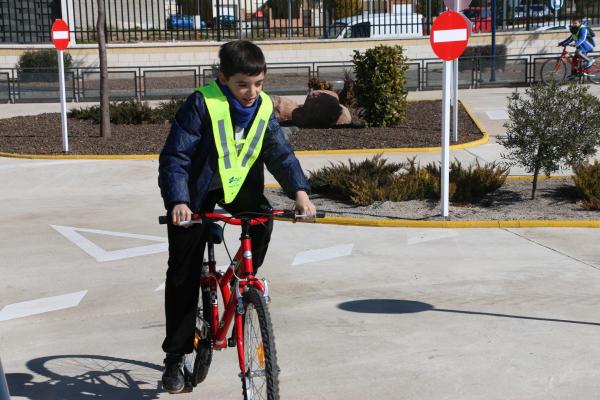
(445, 173)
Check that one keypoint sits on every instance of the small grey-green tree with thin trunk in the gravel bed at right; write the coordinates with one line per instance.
(551, 126)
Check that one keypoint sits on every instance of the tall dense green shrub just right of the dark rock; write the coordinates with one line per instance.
(380, 85)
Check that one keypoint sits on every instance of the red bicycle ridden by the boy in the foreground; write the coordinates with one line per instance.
(245, 299)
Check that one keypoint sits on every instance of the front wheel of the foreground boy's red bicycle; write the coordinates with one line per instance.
(261, 378)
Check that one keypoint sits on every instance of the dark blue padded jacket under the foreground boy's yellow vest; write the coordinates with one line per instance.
(188, 161)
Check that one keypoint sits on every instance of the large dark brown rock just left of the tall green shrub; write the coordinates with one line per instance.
(320, 110)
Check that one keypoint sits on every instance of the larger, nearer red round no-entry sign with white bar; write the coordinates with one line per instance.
(449, 35)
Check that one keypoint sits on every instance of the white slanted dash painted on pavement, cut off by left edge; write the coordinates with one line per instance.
(40, 306)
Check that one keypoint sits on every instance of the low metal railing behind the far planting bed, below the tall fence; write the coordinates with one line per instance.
(166, 82)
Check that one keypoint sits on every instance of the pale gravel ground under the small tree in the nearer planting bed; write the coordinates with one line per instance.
(556, 199)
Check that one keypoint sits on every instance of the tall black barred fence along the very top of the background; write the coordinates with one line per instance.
(29, 21)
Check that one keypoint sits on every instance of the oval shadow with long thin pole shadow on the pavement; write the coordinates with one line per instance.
(394, 306)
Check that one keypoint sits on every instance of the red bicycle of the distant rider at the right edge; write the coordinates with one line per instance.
(556, 69)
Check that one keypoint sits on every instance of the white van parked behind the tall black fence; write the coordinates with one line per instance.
(376, 26)
